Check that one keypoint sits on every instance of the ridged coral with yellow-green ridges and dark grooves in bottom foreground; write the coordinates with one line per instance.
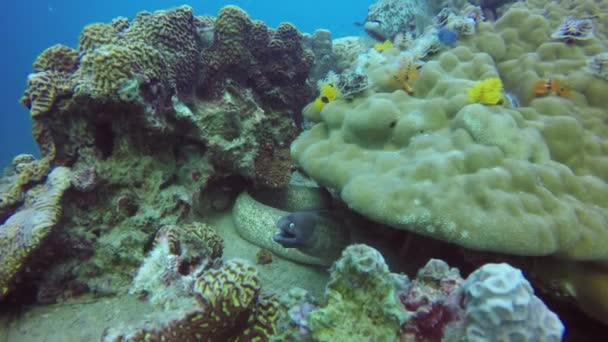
(224, 304)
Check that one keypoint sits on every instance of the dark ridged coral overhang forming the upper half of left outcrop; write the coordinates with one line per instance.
(165, 73)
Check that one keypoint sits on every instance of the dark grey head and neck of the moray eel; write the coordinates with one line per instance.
(314, 233)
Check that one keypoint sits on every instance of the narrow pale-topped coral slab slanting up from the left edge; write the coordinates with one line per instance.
(26, 229)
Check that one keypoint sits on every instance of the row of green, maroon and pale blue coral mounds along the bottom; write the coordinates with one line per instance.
(365, 301)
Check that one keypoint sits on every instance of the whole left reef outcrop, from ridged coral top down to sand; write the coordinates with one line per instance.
(149, 114)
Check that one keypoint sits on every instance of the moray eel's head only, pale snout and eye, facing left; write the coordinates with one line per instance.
(296, 229)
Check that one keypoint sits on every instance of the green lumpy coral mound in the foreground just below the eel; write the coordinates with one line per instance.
(361, 300)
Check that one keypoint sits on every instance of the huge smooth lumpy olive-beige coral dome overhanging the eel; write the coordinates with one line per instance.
(527, 181)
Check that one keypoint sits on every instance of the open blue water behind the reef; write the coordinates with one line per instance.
(29, 26)
